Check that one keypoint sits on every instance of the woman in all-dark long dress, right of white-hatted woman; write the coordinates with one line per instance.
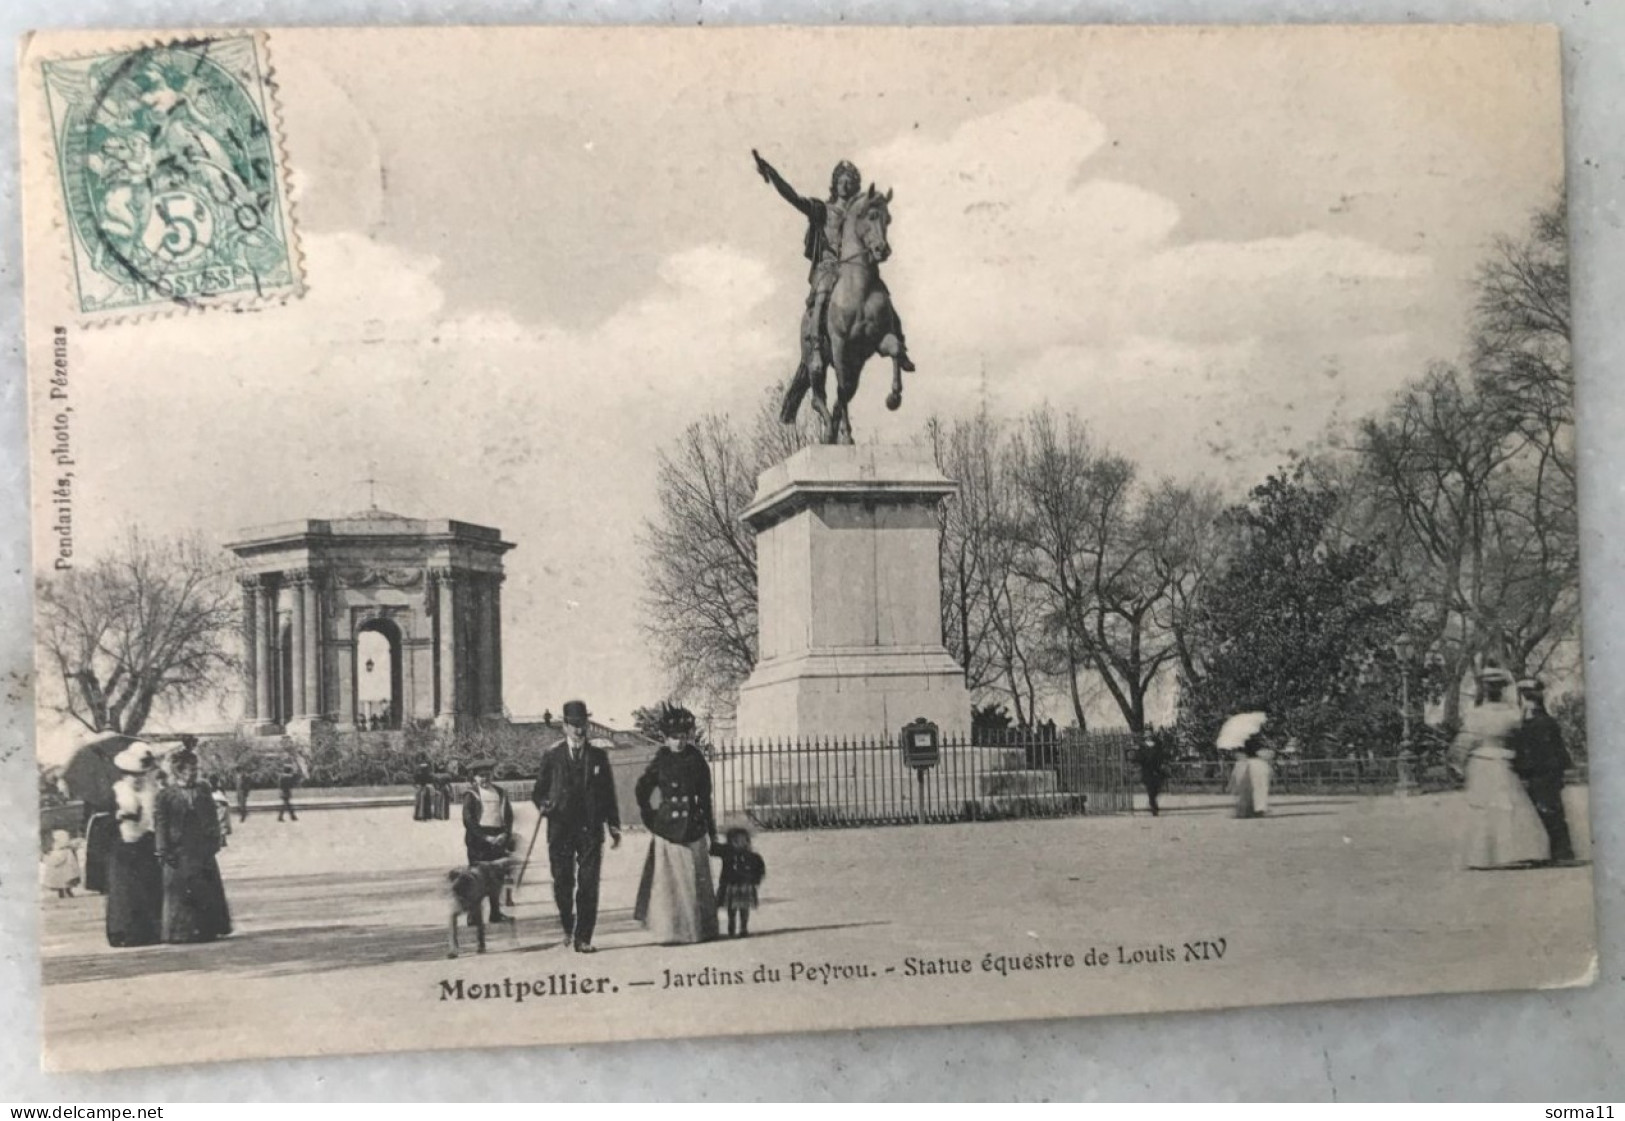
(188, 839)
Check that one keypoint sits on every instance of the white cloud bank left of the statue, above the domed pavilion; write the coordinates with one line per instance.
(542, 431)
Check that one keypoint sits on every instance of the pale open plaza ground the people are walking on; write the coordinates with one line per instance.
(340, 940)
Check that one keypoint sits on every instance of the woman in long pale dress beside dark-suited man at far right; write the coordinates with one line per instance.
(1504, 828)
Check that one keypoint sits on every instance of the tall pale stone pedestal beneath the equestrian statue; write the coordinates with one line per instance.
(849, 599)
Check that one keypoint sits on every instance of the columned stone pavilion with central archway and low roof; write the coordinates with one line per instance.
(313, 589)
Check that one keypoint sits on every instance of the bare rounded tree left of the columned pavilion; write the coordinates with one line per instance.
(150, 626)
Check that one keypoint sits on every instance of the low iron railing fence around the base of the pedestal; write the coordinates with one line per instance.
(830, 784)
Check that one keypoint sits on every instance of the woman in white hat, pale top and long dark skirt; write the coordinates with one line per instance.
(136, 883)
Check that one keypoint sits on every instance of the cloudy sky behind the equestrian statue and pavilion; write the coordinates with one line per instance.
(534, 256)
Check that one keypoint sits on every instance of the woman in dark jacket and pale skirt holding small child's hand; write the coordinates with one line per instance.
(677, 901)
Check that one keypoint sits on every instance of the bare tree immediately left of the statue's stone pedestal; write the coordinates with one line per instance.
(700, 558)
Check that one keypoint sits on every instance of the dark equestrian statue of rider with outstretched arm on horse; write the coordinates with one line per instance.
(849, 318)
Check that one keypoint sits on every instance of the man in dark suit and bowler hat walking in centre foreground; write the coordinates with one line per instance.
(576, 794)
